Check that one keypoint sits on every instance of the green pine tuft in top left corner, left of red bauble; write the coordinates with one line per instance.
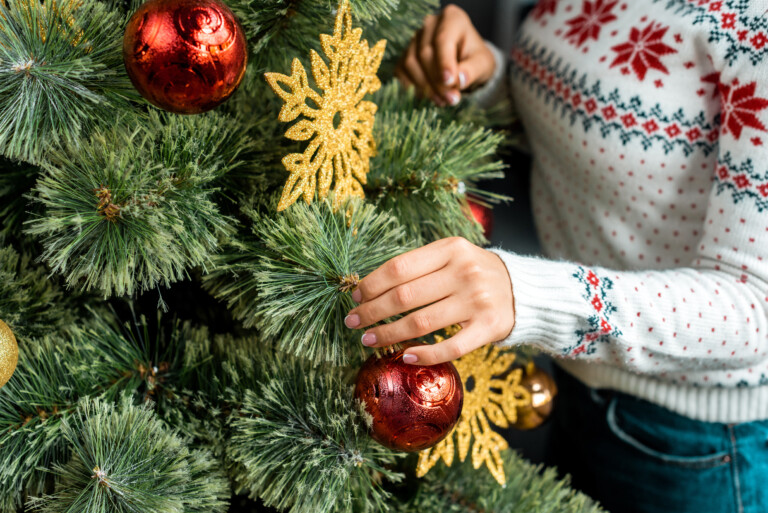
(61, 74)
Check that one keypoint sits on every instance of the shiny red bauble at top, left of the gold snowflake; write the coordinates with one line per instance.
(185, 56)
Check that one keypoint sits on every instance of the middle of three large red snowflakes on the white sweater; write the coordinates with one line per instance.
(644, 50)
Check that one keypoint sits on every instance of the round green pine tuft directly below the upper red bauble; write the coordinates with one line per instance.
(133, 207)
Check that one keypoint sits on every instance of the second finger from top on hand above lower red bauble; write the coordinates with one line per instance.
(403, 298)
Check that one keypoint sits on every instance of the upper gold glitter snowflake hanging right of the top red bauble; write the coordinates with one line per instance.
(338, 123)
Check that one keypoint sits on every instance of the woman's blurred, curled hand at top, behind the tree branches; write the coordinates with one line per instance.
(445, 57)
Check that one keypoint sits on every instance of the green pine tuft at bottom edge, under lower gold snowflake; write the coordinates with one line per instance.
(529, 489)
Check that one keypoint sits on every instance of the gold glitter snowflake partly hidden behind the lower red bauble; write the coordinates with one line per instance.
(492, 395)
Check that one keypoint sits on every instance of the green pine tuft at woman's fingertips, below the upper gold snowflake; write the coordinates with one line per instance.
(293, 279)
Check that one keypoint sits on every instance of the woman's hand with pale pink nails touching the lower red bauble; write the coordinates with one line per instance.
(452, 281)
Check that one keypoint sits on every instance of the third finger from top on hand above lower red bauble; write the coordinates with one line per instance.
(417, 324)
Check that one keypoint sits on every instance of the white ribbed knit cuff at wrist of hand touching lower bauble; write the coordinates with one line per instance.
(548, 305)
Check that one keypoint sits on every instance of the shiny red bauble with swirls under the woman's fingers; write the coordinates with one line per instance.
(413, 407)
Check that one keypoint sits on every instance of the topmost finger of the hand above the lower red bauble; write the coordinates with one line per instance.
(405, 268)
